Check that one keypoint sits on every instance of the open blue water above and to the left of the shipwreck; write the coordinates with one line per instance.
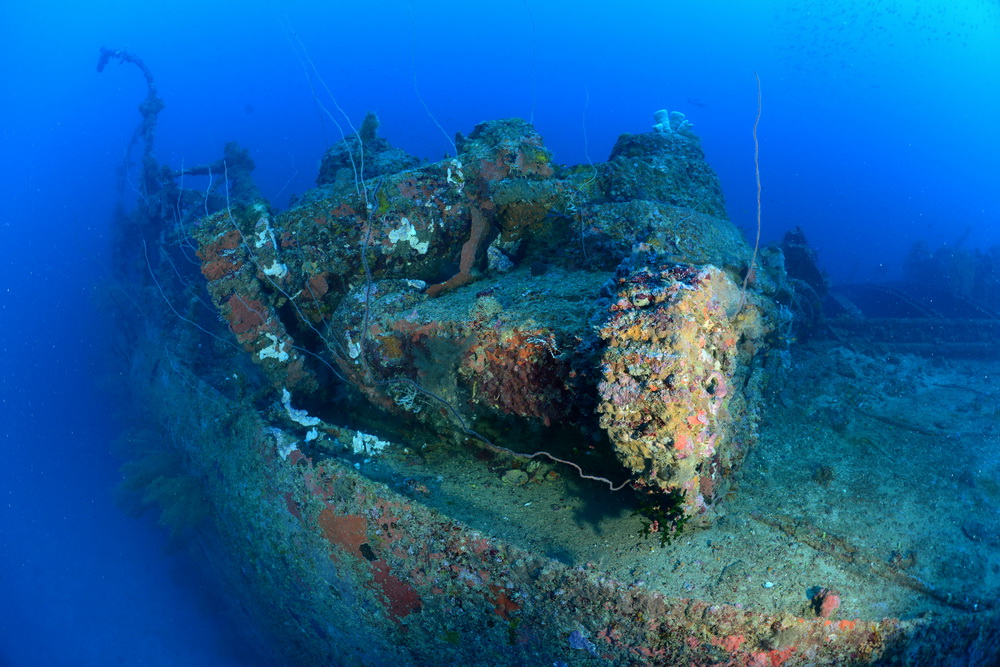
(878, 129)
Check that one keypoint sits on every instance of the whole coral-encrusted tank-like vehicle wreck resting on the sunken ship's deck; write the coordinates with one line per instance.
(520, 354)
